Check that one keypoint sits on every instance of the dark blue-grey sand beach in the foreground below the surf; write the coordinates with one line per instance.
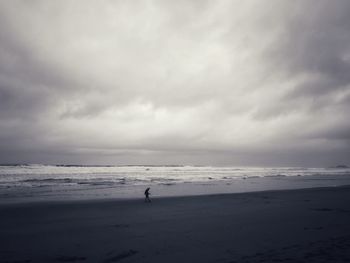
(310, 225)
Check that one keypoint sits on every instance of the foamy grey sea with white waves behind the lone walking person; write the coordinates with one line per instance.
(20, 183)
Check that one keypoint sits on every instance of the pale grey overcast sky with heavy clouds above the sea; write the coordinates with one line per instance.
(242, 83)
